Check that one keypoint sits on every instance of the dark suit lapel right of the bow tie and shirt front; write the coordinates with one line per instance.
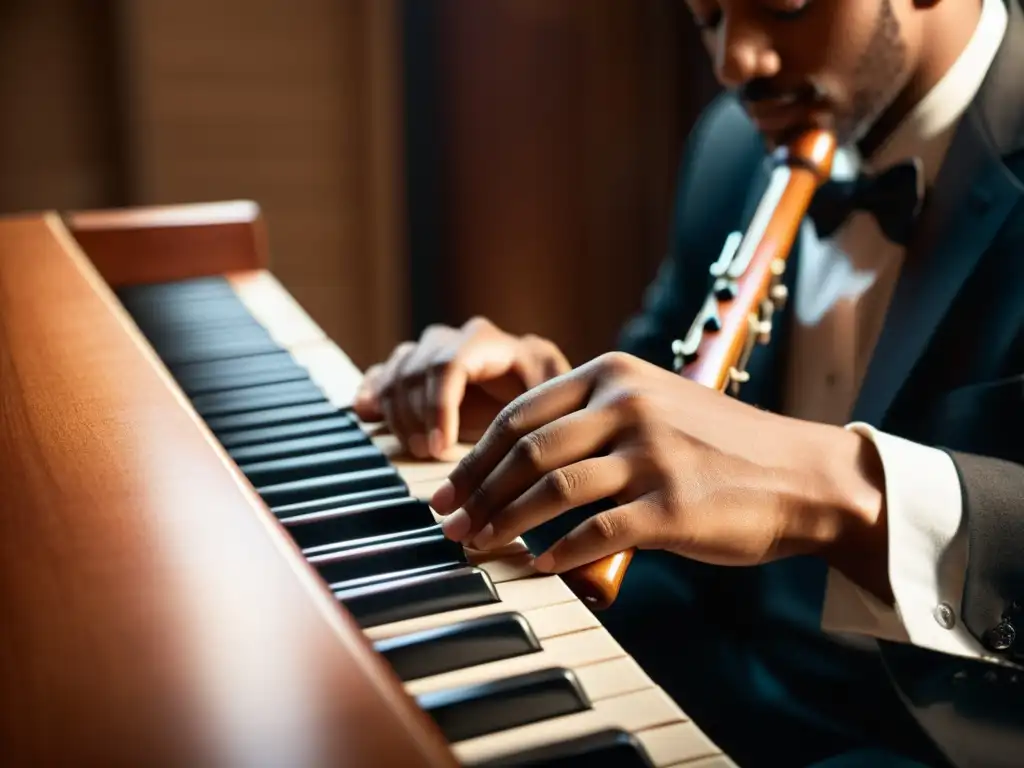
(973, 196)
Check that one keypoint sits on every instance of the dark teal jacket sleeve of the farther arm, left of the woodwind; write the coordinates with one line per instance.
(720, 160)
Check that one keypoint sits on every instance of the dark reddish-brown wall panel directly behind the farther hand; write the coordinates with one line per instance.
(564, 122)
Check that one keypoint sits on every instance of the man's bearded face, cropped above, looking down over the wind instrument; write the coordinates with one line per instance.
(801, 64)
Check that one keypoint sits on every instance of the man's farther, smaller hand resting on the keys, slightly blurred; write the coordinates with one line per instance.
(450, 386)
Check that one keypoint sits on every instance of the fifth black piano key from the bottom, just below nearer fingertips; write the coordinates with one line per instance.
(396, 558)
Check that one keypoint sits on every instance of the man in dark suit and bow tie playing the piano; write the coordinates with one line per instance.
(829, 565)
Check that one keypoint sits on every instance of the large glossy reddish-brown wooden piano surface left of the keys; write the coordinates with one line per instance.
(154, 614)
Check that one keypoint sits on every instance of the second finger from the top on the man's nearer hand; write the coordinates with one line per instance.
(547, 450)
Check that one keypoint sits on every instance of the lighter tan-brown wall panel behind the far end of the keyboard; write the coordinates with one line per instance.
(292, 105)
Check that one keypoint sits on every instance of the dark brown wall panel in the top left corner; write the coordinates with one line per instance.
(58, 106)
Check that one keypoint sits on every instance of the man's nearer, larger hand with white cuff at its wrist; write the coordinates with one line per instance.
(692, 471)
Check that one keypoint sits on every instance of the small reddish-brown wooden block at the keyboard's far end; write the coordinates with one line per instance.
(154, 244)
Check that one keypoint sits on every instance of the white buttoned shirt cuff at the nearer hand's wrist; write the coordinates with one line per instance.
(927, 556)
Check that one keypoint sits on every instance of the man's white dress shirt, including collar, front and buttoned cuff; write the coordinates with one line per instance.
(843, 291)
